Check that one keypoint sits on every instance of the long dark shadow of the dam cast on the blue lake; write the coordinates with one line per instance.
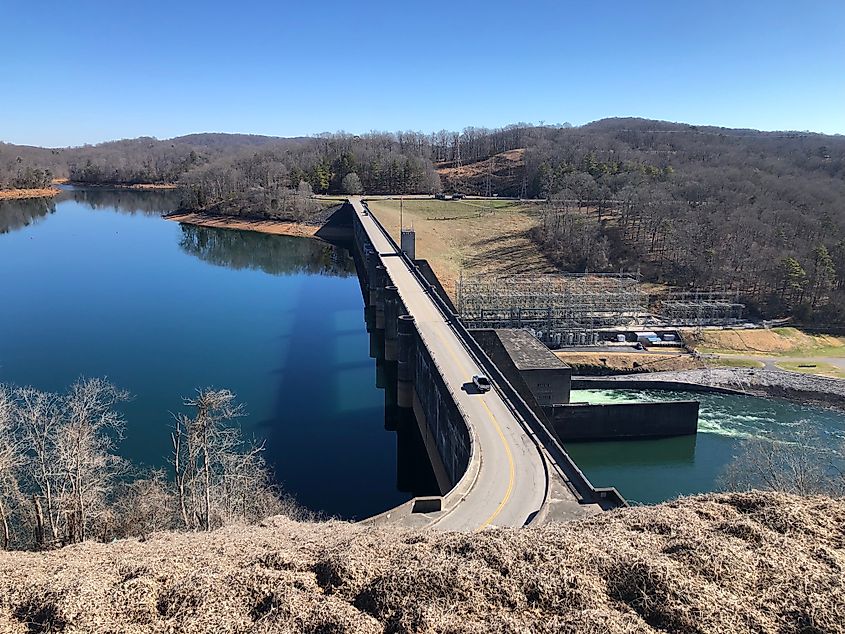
(340, 409)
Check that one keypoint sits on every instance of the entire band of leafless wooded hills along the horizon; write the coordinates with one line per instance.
(761, 213)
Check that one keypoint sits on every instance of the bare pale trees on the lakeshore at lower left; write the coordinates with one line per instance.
(63, 482)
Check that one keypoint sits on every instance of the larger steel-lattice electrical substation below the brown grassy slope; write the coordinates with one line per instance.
(560, 310)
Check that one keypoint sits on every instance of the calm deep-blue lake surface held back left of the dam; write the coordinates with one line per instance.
(96, 283)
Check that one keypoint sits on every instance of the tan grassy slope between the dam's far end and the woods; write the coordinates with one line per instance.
(476, 236)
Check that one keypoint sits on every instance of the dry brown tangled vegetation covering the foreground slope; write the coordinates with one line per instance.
(719, 563)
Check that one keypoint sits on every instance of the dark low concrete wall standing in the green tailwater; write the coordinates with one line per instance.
(587, 422)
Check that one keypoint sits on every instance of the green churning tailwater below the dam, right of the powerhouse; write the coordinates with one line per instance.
(652, 471)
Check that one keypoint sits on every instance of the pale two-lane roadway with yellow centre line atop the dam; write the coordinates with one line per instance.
(510, 478)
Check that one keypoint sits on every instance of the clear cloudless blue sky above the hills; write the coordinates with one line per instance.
(83, 71)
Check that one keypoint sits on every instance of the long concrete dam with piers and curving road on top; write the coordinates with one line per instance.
(496, 463)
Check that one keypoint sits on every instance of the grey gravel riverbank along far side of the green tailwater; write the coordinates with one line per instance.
(801, 388)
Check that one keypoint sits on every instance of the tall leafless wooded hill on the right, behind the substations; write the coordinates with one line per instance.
(760, 213)
